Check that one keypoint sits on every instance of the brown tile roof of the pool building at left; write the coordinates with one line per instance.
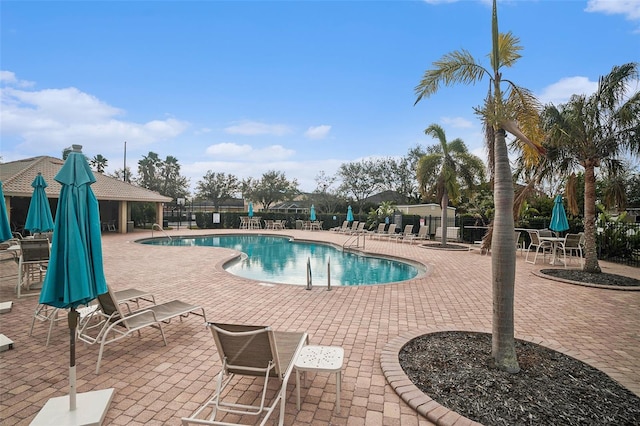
(17, 176)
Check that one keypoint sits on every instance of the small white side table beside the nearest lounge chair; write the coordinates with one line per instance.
(320, 358)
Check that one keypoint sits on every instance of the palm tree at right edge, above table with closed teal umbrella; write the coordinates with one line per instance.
(594, 131)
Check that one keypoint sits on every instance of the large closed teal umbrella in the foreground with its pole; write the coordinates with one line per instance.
(75, 274)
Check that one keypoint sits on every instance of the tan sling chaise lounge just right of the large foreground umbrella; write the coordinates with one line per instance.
(116, 321)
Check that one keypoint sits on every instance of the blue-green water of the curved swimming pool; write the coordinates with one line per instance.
(280, 260)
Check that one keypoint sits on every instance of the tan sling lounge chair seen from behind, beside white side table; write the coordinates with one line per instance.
(255, 351)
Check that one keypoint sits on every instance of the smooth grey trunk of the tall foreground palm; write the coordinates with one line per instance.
(503, 261)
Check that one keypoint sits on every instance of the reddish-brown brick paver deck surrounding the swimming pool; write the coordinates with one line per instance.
(156, 384)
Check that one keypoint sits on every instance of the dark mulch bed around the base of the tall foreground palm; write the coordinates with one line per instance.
(454, 368)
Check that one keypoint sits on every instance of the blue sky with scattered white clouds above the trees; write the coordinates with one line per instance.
(296, 86)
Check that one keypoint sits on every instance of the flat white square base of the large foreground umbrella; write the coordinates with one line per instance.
(91, 409)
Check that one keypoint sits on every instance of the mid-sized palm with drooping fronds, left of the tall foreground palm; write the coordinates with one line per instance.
(442, 168)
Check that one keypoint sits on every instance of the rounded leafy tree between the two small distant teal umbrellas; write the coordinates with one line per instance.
(272, 188)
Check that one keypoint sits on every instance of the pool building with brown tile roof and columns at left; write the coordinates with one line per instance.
(114, 196)
